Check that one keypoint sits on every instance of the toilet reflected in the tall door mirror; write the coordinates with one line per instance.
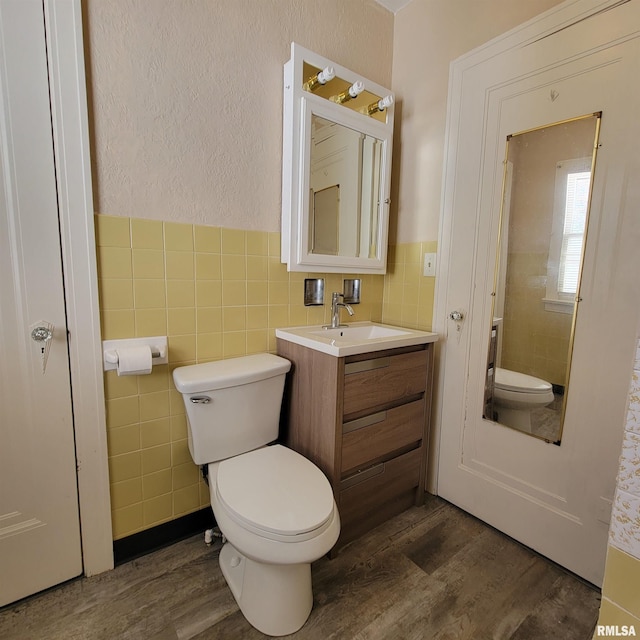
(516, 394)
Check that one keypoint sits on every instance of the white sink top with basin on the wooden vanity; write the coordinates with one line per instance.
(359, 337)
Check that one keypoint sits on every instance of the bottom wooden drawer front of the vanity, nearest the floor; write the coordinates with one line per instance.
(385, 490)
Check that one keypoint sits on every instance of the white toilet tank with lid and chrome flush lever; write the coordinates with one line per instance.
(232, 406)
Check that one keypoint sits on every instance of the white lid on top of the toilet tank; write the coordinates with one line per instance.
(229, 373)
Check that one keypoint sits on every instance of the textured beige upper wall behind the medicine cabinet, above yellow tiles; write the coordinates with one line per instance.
(186, 99)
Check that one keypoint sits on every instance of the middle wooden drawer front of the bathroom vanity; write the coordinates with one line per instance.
(374, 436)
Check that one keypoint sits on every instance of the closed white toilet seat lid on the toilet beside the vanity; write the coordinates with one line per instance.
(275, 493)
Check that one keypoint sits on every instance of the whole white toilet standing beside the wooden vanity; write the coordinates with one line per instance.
(274, 507)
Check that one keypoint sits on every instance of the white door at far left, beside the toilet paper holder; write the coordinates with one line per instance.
(39, 519)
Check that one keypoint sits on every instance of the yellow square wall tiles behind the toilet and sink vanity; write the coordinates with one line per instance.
(216, 293)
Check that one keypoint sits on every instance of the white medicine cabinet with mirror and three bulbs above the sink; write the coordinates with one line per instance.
(337, 138)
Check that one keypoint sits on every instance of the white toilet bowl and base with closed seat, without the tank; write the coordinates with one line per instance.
(277, 511)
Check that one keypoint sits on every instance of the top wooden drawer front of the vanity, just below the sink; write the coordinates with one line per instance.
(379, 380)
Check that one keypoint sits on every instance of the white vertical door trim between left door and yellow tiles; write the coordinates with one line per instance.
(63, 25)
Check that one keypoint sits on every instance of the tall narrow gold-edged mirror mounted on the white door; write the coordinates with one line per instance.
(543, 230)
